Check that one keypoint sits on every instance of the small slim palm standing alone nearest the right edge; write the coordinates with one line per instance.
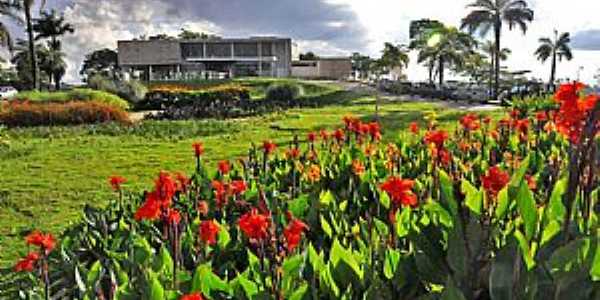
(558, 48)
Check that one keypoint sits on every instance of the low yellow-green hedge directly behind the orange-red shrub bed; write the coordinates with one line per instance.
(73, 95)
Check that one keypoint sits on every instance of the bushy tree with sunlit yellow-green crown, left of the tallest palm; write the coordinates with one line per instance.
(444, 47)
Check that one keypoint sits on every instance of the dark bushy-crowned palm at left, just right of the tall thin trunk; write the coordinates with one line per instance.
(51, 26)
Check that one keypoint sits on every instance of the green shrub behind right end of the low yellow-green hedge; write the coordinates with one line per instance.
(132, 90)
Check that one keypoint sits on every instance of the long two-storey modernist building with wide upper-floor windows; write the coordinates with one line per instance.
(156, 60)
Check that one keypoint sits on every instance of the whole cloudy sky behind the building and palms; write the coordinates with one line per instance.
(326, 27)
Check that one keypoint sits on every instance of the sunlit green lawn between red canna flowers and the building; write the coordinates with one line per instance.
(51, 173)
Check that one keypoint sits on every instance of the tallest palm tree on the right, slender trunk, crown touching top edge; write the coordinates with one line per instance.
(491, 14)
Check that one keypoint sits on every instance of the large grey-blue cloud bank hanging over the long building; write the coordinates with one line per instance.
(315, 25)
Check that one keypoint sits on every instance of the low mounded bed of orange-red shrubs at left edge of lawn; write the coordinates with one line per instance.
(26, 114)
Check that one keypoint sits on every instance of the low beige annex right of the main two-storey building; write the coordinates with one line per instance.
(334, 68)
